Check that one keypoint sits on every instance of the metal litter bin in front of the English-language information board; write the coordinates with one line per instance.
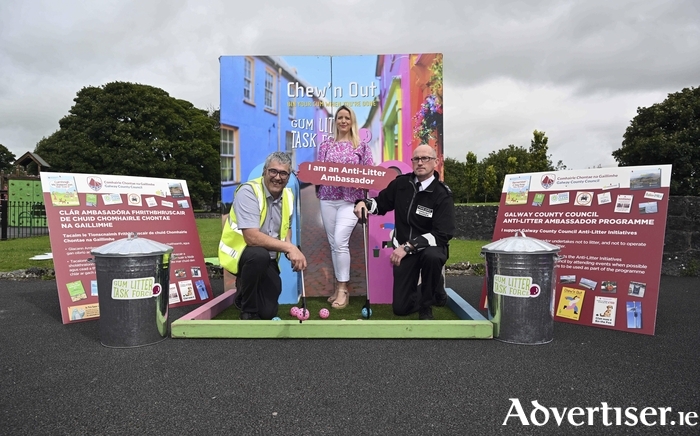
(520, 283)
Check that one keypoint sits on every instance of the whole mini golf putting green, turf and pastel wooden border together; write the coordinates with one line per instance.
(458, 320)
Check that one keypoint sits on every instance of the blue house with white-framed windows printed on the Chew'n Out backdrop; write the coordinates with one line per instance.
(266, 107)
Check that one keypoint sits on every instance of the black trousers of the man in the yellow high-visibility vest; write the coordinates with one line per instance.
(259, 282)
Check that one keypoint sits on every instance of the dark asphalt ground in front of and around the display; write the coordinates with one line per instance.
(58, 379)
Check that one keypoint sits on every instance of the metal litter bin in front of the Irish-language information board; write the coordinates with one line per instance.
(132, 285)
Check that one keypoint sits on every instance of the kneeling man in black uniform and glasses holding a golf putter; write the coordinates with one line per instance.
(425, 222)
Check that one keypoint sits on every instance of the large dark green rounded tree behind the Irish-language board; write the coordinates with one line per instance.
(138, 130)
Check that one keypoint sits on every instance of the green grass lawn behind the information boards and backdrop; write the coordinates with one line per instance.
(15, 253)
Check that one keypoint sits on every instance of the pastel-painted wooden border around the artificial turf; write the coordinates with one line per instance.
(200, 324)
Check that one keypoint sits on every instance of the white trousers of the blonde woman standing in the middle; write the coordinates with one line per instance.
(339, 221)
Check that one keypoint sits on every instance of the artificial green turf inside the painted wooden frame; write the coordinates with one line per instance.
(351, 312)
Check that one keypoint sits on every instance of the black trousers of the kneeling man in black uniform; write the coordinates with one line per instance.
(428, 265)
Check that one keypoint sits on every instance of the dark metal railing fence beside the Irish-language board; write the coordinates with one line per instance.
(22, 219)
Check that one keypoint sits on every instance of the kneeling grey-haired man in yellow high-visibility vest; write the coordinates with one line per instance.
(255, 233)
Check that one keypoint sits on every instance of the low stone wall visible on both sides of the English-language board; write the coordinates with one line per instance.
(681, 245)
